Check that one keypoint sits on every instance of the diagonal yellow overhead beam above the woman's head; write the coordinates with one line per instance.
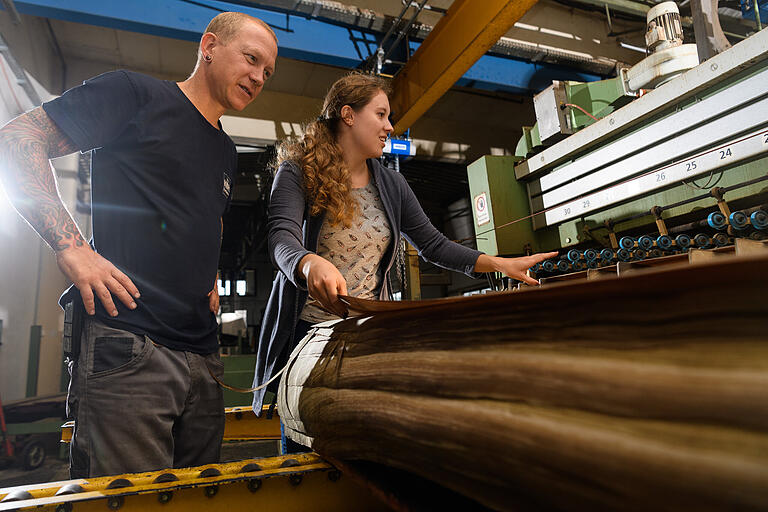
(468, 30)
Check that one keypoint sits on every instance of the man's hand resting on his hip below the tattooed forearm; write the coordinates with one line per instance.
(95, 277)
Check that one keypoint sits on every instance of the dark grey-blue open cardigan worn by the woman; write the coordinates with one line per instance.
(293, 234)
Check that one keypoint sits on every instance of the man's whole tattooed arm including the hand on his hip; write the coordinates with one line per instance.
(26, 145)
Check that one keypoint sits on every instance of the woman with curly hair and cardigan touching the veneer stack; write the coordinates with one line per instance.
(336, 215)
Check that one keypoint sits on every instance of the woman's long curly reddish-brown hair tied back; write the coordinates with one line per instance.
(326, 177)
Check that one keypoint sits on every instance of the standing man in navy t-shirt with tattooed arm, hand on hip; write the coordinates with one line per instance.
(141, 391)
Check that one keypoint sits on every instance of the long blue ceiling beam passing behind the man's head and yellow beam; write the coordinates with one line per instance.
(299, 38)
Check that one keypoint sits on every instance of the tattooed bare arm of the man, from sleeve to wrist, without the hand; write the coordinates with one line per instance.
(26, 146)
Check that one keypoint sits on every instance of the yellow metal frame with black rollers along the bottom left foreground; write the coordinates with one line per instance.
(297, 482)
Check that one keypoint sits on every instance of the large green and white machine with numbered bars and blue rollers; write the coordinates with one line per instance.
(668, 150)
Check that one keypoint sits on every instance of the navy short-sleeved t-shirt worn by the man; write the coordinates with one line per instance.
(161, 178)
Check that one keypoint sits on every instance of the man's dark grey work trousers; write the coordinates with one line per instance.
(139, 406)
